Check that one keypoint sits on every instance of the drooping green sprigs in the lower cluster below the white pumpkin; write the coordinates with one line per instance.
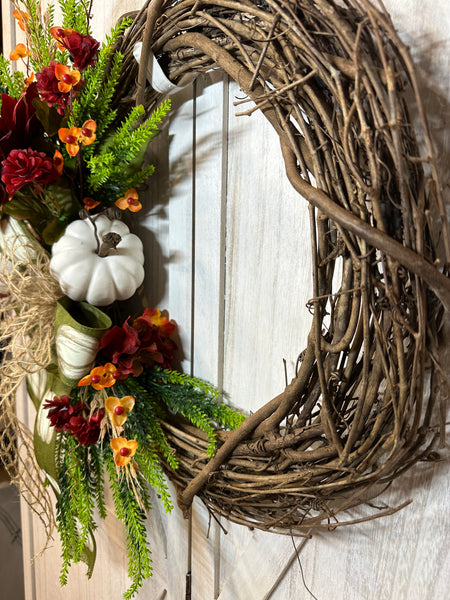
(82, 468)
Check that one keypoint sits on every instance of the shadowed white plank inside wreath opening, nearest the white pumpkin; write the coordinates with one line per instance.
(167, 226)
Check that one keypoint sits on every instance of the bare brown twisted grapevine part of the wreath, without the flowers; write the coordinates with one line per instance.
(339, 88)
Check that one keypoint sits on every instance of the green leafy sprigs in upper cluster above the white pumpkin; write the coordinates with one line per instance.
(113, 162)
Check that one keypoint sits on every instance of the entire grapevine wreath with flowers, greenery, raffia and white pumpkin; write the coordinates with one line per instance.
(338, 86)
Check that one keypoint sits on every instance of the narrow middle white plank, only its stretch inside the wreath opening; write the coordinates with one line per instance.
(210, 154)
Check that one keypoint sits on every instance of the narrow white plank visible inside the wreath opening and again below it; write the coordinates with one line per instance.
(208, 281)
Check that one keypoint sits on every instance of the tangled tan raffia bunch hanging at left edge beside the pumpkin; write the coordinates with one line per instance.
(28, 295)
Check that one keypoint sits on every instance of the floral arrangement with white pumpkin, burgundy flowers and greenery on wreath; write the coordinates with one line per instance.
(68, 171)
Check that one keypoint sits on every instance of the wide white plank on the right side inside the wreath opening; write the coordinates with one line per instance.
(268, 280)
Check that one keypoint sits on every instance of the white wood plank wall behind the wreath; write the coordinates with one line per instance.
(228, 255)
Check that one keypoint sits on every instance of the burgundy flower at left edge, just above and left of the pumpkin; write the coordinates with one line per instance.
(27, 166)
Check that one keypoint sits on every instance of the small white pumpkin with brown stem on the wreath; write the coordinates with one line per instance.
(83, 274)
